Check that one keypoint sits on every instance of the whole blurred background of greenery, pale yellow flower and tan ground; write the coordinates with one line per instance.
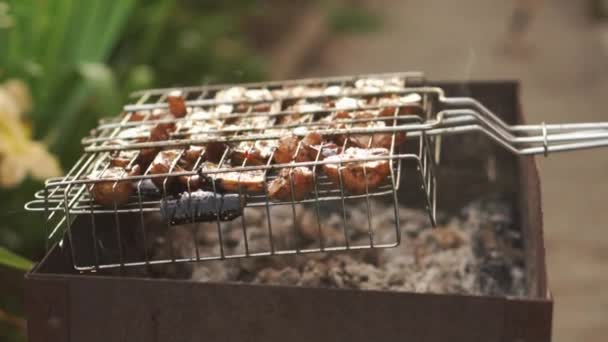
(66, 63)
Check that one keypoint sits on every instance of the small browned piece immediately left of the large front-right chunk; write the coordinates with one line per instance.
(300, 178)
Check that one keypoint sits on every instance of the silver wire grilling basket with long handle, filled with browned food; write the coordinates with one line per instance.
(260, 113)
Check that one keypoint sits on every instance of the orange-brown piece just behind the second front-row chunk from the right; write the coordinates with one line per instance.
(288, 146)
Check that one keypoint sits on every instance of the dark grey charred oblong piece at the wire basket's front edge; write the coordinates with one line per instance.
(201, 206)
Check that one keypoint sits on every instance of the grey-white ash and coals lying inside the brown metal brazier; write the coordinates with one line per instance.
(475, 252)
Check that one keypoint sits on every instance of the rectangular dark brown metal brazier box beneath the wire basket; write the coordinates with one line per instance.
(64, 304)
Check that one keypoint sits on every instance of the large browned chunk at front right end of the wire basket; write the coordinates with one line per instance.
(355, 175)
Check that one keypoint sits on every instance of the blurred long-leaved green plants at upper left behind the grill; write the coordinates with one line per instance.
(81, 59)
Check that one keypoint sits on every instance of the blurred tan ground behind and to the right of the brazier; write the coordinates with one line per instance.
(564, 79)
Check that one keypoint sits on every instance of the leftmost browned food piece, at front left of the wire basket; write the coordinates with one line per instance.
(110, 193)
